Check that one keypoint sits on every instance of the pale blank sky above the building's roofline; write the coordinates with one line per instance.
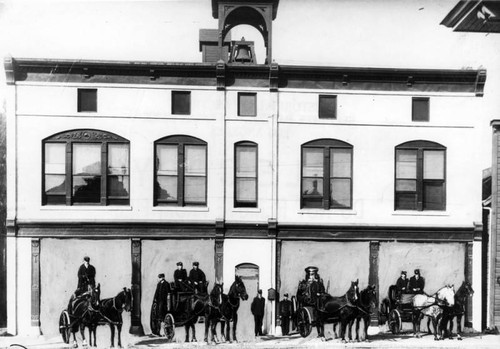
(360, 33)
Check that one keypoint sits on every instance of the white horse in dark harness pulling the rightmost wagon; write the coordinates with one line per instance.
(431, 306)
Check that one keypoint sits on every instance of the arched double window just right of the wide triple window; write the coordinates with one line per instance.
(180, 171)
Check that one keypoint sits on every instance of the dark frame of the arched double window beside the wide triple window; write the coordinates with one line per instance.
(181, 141)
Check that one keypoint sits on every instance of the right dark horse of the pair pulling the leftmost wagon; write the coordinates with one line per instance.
(110, 313)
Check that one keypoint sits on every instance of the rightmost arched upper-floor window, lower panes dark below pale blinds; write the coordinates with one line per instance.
(420, 176)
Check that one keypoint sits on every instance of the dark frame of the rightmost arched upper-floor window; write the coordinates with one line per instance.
(421, 146)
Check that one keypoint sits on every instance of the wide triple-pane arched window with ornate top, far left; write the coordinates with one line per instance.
(86, 167)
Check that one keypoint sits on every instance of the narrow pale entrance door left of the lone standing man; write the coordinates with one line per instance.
(249, 274)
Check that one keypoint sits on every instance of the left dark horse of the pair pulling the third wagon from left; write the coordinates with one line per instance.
(343, 310)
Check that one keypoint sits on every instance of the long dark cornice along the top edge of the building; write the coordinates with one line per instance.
(275, 77)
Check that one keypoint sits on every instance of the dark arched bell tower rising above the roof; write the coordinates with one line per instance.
(256, 13)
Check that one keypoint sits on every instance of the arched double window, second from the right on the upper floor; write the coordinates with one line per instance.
(326, 174)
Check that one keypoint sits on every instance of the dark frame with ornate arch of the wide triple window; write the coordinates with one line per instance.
(85, 136)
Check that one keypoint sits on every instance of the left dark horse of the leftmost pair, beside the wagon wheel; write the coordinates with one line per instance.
(84, 312)
